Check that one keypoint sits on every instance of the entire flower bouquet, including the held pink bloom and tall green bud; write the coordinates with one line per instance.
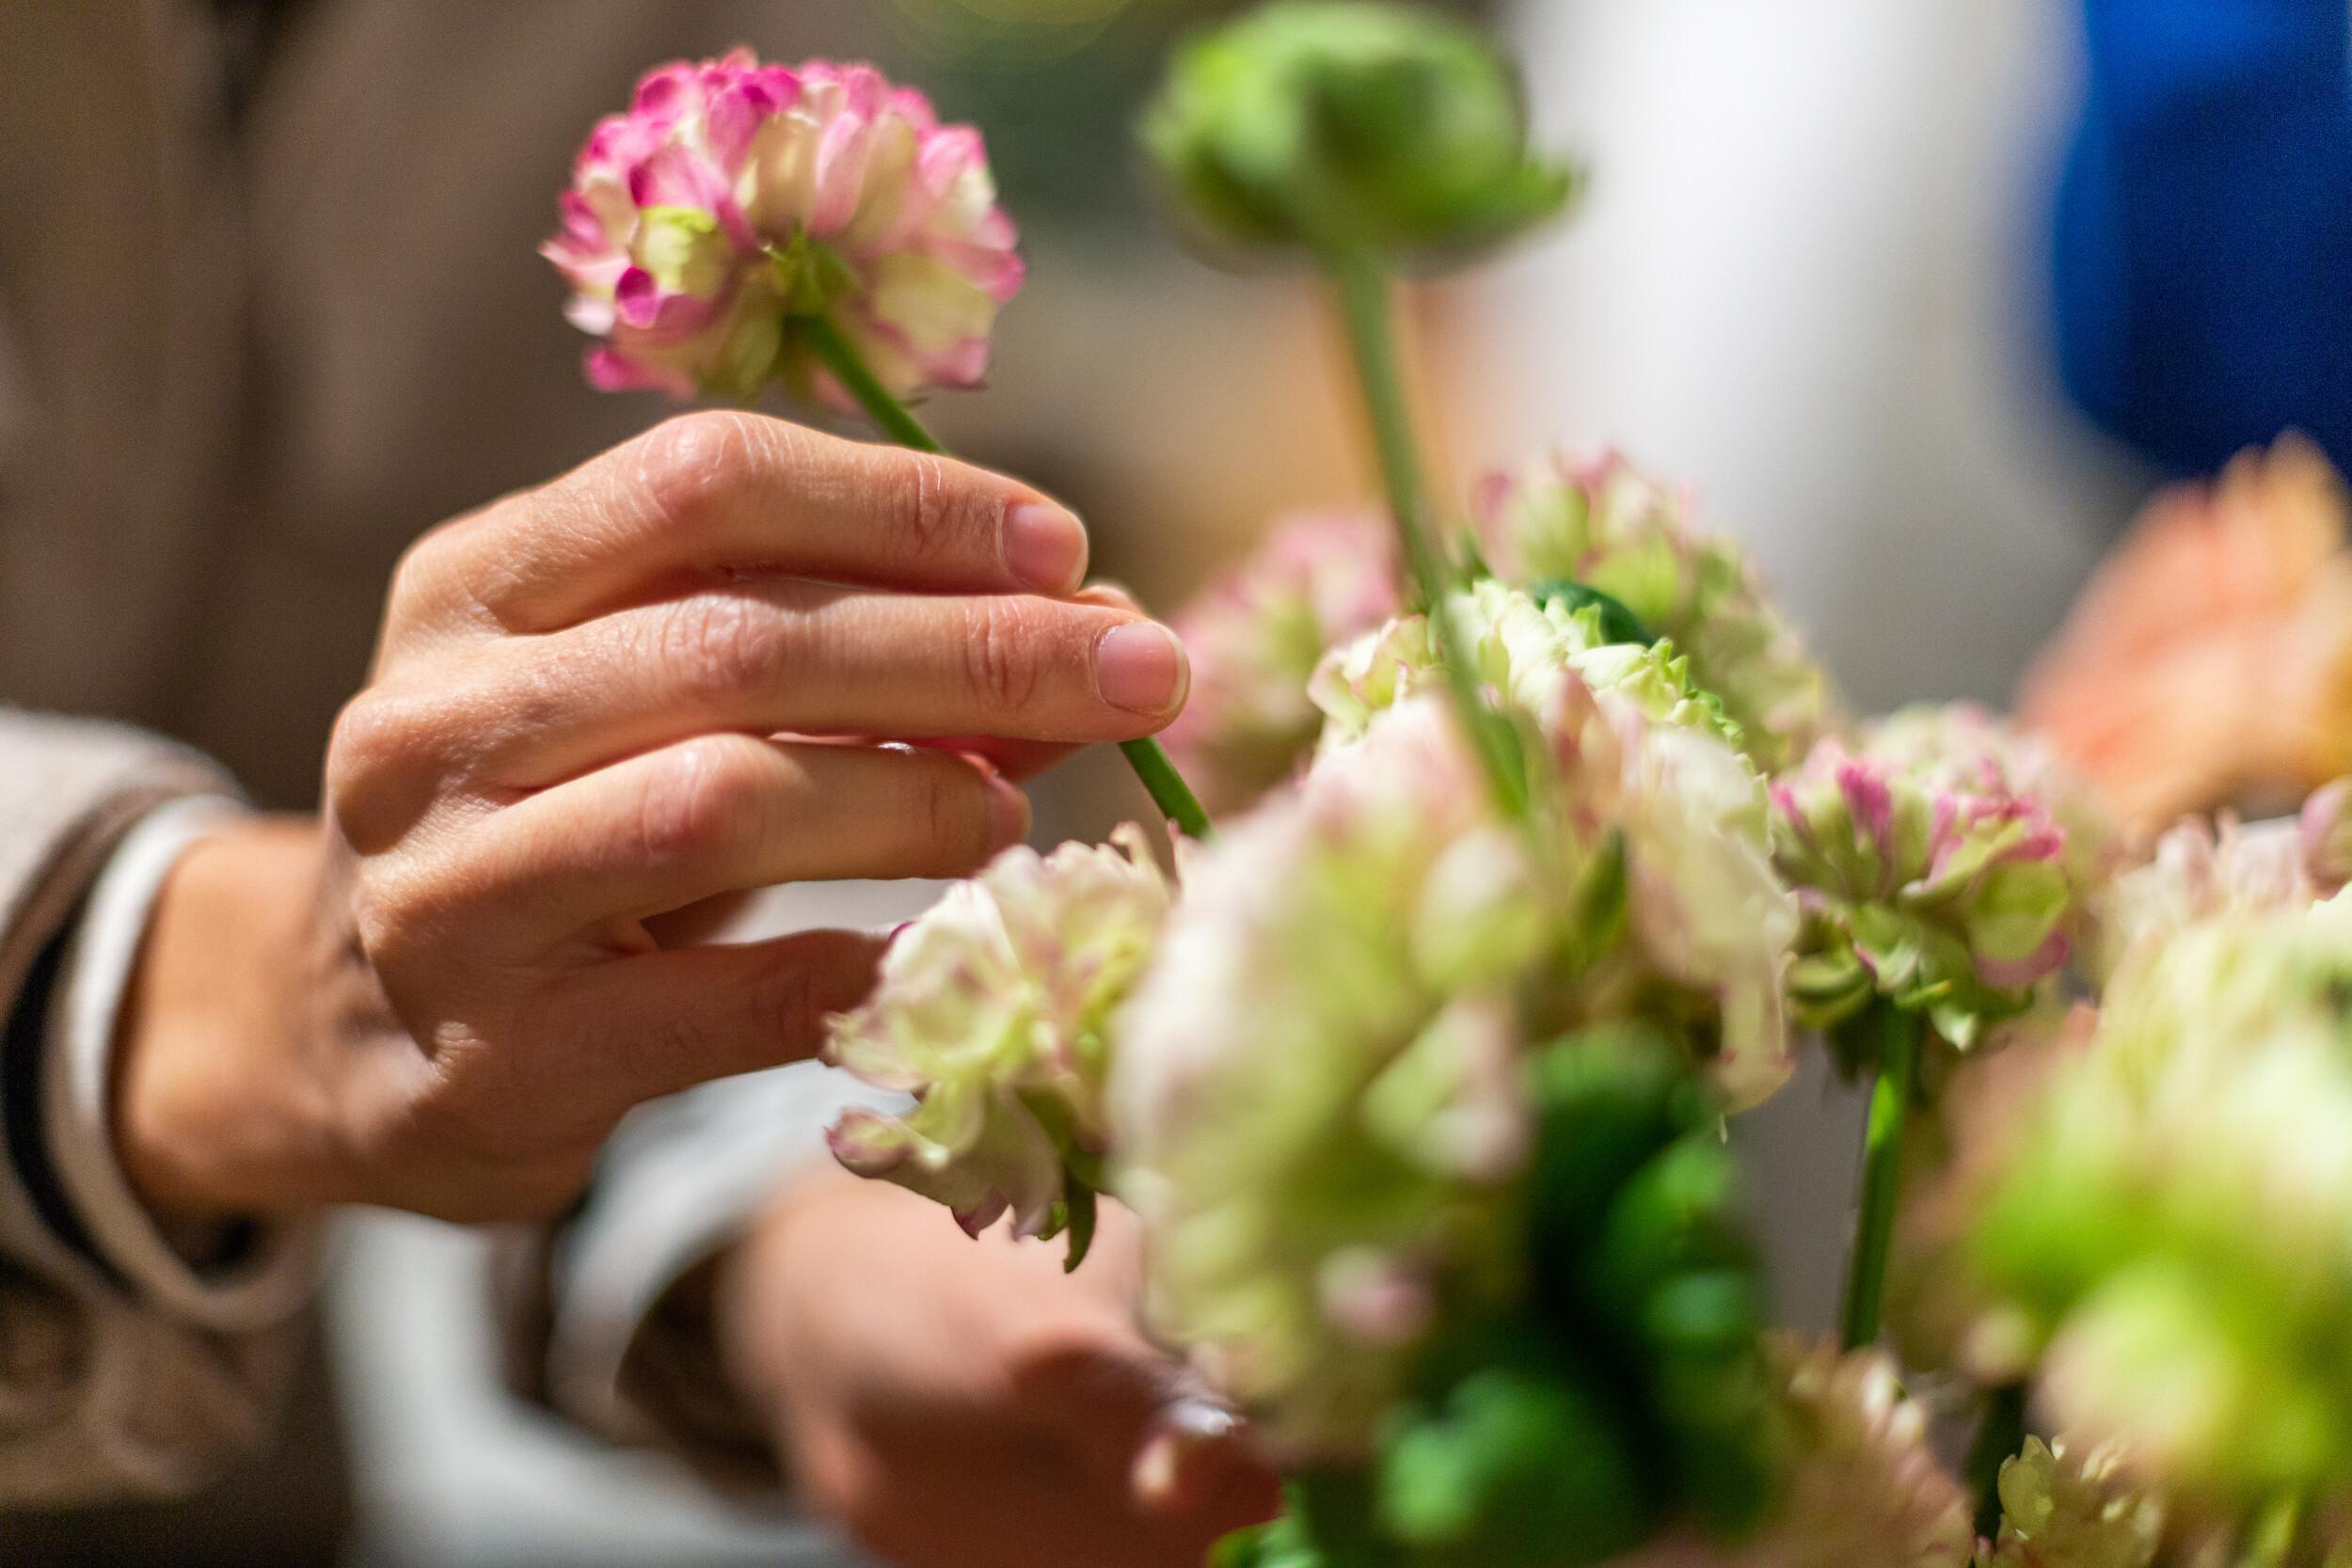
(1542, 852)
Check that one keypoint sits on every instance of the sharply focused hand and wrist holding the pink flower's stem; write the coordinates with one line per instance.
(601, 711)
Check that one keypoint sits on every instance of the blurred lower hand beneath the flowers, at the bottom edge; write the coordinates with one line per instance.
(968, 1405)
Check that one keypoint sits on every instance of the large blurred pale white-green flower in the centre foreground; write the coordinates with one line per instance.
(1304, 1019)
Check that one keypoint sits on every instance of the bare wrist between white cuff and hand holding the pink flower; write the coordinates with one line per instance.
(218, 1106)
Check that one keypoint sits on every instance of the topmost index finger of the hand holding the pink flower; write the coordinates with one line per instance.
(719, 495)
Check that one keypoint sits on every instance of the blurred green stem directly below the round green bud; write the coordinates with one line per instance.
(1363, 288)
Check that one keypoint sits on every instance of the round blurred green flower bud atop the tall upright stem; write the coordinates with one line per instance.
(1347, 123)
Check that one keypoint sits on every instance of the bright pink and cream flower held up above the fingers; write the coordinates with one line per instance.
(733, 196)
